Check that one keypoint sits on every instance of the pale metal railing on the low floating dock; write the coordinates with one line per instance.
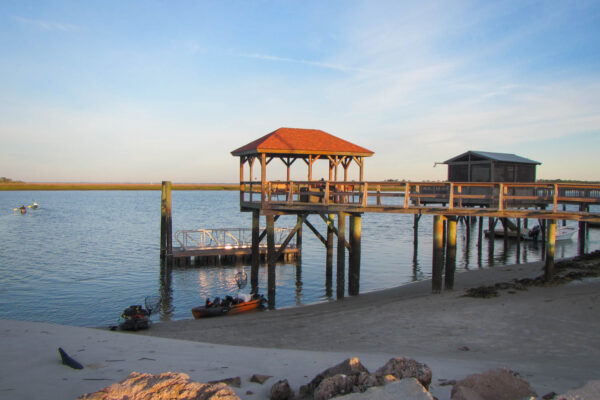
(227, 238)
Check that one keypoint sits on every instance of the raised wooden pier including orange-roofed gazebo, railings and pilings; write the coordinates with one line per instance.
(341, 201)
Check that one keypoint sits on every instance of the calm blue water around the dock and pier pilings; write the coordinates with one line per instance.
(84, 256)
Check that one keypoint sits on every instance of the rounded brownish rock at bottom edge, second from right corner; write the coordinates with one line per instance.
(502, 384)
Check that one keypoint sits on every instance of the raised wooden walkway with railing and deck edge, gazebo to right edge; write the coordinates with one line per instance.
(518, 200)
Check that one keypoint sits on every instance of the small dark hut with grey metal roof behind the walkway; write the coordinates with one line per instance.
(485, 166)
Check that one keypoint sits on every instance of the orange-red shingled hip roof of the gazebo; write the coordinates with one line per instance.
(299, 142)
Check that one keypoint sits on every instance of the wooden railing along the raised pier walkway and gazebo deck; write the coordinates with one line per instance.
(500, 196)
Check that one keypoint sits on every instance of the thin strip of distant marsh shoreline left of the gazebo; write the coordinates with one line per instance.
(20, 186)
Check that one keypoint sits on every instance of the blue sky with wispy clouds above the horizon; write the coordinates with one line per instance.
(144, 91)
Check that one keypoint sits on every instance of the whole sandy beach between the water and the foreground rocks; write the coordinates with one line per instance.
(550, 335)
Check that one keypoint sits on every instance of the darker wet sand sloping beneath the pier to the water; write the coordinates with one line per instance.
(551, 335)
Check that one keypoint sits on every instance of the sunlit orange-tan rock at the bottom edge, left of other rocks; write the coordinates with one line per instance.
(168, 385)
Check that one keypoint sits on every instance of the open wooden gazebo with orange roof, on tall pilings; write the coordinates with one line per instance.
(310, 146)
